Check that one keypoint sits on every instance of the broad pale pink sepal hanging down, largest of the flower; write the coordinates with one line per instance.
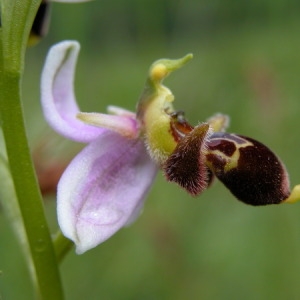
(103, 188)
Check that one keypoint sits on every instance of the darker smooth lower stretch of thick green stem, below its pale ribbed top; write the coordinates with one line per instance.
(27, 190)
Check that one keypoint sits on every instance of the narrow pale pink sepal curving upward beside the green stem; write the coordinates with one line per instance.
(57, 94)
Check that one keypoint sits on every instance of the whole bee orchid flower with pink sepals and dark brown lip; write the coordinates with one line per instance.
(105, 186)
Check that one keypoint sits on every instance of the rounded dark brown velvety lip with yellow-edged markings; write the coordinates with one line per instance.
(250, 170)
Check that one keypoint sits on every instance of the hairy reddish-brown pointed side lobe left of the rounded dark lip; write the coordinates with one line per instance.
(186, 165)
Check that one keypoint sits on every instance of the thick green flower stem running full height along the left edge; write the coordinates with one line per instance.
(14, 36)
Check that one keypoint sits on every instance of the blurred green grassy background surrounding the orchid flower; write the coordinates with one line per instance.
(246, 64)
